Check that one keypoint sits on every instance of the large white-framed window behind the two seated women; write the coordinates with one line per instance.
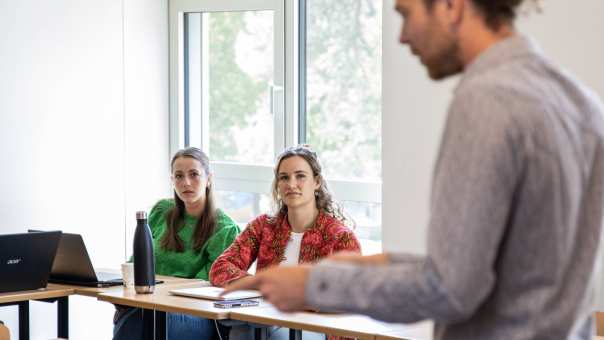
(250, 77)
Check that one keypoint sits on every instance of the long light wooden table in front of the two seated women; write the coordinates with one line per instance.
(156, 305)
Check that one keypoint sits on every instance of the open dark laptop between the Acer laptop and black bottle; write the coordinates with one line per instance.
(72, 265)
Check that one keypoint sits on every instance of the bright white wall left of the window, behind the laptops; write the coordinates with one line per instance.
(83, 130)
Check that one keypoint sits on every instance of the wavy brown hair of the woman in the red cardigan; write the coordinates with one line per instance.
(323, 198)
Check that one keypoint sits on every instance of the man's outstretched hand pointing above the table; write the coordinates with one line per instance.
(284, 287)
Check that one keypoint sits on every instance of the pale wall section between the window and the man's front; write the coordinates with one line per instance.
(413, 110)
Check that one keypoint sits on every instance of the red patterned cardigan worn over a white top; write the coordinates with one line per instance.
(265, 239)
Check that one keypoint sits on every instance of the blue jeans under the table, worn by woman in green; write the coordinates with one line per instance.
(180, 326)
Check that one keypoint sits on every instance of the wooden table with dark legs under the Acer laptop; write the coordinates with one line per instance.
(51, 293)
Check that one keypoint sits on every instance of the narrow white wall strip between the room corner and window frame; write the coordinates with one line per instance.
(146, 106)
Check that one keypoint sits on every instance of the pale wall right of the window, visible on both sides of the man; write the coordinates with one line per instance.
(414, 107)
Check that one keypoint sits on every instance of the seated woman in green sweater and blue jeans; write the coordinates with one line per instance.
(189, 233)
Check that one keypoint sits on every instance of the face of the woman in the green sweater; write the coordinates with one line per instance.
(190, 180)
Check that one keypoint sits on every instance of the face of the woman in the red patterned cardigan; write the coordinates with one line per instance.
(296, 183)
